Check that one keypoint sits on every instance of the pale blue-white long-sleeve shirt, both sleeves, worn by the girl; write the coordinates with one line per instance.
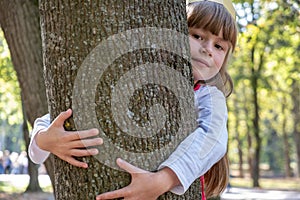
(195, 155)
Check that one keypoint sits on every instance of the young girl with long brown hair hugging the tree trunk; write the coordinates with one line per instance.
(213, 36)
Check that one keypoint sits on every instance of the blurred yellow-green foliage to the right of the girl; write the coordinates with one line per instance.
(271, 28)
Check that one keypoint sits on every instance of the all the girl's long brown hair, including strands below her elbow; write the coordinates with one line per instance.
(215, 18)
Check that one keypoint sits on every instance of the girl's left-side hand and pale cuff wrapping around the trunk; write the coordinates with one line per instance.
(53, 138)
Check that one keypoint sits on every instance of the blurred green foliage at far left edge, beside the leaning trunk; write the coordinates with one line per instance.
(11, 136)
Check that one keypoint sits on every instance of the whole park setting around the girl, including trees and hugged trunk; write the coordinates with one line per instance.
(98, 57)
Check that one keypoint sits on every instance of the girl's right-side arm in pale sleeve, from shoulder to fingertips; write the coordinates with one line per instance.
(192, 158)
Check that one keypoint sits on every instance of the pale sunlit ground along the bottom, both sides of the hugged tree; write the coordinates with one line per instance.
(11, 187)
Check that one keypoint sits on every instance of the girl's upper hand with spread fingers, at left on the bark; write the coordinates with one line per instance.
(66, 144)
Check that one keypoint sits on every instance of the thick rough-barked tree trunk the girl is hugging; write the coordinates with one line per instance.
(137, 44)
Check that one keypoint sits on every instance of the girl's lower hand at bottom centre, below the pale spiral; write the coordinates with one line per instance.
(144, 184)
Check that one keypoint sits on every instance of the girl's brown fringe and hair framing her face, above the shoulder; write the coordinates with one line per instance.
(215, 18)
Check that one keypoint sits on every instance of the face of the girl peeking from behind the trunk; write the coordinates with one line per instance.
(208, 53)
